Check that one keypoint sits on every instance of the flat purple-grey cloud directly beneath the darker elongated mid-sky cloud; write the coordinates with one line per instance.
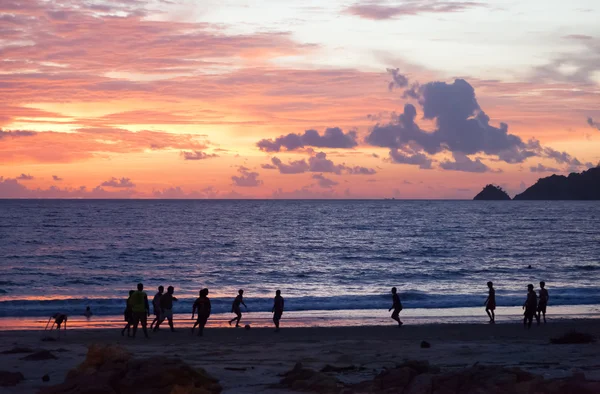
(318, 162)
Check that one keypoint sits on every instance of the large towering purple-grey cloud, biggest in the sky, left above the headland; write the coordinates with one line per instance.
(462, 128)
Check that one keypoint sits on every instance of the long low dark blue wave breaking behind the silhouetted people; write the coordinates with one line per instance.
(410, 299)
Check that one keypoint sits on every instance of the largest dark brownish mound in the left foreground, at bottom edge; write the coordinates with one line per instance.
(111, 370)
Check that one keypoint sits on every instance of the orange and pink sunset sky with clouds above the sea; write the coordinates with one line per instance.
(413, 99)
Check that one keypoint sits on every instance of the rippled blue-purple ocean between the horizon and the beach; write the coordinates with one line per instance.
(328, 256)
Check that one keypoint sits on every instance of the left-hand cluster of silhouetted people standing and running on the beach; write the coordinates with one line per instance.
(138, 310)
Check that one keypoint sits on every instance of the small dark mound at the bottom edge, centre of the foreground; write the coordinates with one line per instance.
(306, 379)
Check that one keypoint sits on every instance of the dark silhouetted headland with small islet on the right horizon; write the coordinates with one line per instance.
(576, 186)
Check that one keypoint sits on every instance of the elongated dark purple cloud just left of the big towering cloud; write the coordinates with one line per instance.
(332, 138)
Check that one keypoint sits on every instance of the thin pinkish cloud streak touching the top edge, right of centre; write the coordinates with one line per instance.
(374, 10)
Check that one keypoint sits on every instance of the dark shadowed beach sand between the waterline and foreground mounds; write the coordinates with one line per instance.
(249, 361)
